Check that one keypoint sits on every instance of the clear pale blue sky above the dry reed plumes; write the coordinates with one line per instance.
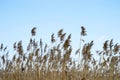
(101, 19)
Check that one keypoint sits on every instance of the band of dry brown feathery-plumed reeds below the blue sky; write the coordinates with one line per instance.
(54, 61)
